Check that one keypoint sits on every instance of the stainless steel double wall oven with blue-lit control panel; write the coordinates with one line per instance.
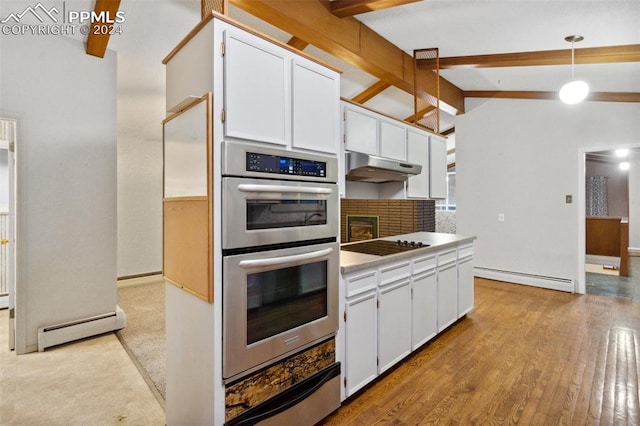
(280, 254)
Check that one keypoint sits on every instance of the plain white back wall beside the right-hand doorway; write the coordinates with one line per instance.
(520, 158)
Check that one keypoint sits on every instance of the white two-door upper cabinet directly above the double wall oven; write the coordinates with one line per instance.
(263, 91)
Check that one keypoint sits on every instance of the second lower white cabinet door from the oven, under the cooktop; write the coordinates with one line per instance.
(394, 323)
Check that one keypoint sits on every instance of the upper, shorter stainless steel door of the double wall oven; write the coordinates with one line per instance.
(260, 212)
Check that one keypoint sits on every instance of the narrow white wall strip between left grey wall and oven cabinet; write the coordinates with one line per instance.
(142, 46)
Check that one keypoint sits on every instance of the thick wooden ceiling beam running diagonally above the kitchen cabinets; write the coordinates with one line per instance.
(355, 43)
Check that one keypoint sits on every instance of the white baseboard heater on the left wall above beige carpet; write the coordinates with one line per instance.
(74, 330)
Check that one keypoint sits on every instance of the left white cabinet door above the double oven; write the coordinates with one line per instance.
(256, 89)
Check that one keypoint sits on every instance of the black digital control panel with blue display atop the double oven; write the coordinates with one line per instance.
(285, 165)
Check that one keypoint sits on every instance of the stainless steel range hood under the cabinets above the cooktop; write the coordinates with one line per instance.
(370, 168)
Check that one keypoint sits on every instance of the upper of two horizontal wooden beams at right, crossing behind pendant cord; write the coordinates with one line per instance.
(588, 55)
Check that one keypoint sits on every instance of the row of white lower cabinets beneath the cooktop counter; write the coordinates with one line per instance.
(392, 310)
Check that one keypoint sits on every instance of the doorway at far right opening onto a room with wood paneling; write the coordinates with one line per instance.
(608, 214)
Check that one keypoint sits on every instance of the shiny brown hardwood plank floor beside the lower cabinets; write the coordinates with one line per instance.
(524, 355)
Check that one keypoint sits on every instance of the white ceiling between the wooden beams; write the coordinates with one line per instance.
(479, 27)
